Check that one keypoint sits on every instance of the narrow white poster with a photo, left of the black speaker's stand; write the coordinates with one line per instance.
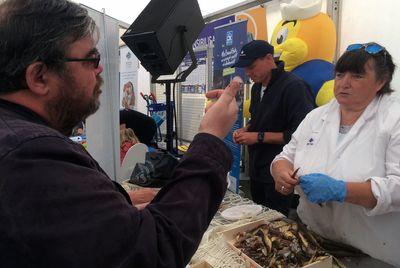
(128, 79)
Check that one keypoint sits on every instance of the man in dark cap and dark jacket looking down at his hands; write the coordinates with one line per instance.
(279, 102)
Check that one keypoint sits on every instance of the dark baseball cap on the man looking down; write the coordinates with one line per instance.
(252, 51)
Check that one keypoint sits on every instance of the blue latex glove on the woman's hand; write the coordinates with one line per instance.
(321, 188)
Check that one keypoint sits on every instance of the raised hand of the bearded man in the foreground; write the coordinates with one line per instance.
(222, 114)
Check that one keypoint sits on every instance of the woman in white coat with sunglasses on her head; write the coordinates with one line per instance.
(348, 152)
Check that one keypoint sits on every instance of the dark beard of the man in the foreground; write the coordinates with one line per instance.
(71, 106)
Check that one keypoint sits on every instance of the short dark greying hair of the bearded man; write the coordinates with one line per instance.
(38, 30)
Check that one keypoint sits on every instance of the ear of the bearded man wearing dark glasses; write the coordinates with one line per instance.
(36, 78)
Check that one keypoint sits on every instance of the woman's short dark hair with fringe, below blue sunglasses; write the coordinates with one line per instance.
(355, 60)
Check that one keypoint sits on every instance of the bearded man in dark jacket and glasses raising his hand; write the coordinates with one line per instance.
(58, 208)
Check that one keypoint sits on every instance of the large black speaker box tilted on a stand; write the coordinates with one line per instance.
(156, 35)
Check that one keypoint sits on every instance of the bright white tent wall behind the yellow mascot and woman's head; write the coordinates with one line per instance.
(357, 21)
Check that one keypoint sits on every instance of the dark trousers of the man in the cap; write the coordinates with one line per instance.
(265, 194)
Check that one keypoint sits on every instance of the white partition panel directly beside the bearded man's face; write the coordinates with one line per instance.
(102, 128)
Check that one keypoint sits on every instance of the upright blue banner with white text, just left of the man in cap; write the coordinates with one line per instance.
(229, 40)
